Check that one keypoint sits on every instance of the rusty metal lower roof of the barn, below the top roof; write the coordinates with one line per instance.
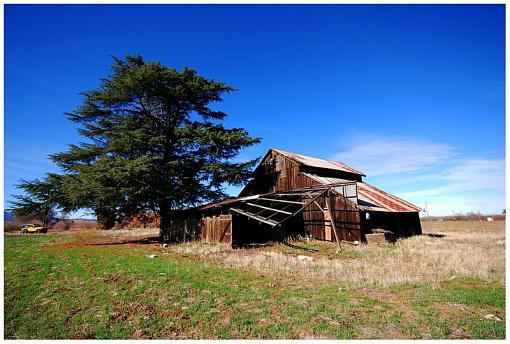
(371, 198)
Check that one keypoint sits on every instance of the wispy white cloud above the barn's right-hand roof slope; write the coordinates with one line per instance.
(428, 172)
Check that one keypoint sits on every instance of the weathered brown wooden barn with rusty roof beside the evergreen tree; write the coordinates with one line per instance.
(293, 194)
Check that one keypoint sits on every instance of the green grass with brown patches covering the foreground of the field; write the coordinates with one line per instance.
(54, 291)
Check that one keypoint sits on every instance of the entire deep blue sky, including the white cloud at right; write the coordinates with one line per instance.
(413, 95)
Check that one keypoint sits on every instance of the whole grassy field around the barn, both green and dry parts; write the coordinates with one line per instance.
(93, 284)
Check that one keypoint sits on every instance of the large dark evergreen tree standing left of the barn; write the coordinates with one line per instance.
(153, 142)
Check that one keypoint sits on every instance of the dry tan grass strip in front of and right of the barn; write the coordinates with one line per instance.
(469, 249)
